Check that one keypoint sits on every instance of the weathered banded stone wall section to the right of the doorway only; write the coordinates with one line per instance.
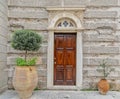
(101, 41)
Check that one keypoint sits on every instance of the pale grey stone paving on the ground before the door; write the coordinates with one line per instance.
(48, 94)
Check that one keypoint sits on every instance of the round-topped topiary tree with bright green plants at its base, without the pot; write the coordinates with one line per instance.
(26, 40)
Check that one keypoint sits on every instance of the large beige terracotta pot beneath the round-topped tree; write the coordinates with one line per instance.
(25, 80)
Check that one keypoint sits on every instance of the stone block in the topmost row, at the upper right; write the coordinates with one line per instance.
(105, 3)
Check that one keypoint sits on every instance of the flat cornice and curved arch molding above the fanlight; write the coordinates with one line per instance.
(71, 13)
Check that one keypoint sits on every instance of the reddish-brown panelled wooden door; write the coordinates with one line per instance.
(64, 59)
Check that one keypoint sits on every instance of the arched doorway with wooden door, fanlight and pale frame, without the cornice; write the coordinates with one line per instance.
(64, 30)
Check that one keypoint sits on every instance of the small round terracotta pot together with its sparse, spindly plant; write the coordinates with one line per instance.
(103, 84)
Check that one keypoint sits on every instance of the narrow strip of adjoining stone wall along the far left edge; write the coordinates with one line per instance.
(3, 44)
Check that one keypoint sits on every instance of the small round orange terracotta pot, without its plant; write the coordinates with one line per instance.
(103, 86)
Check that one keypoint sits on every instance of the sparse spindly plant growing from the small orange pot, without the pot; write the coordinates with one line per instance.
(106, 70)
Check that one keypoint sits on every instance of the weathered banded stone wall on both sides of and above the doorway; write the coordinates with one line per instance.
(100, 38)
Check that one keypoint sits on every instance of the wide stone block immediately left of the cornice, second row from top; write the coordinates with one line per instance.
(33, 13)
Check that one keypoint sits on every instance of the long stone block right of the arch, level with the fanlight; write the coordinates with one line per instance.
(95, 25)
